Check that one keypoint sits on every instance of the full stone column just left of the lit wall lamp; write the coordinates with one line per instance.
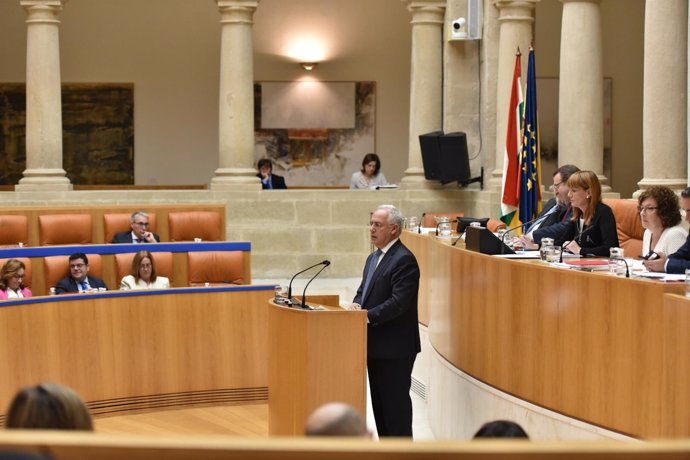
(236, 100)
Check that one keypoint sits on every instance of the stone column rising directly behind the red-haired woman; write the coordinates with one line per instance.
(581, 88)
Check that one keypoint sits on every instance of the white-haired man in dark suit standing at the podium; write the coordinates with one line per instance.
(388, 292)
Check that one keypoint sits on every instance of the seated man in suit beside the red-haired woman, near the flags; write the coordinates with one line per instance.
(556, 213)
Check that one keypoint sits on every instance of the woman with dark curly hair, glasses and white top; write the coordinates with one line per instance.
(660, 215)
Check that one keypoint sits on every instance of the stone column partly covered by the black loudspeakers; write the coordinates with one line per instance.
(426, 84)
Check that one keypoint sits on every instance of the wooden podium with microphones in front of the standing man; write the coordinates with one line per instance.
(315, 357)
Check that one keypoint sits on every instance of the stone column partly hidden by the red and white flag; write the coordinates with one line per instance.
(516, 19)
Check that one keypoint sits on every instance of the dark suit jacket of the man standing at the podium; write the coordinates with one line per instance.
(391, 301)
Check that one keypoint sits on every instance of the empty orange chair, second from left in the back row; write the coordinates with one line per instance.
(54, 229)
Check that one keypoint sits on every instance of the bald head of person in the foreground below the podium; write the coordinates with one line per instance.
(336, 419)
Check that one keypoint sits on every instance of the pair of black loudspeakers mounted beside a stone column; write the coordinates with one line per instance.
(445, 157)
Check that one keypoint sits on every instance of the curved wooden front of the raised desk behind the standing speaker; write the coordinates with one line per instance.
(610, 351)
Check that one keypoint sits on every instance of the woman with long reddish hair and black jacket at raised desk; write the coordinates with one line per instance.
(592, 229)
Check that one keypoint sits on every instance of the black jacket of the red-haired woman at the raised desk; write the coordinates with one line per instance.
(596, 238)
